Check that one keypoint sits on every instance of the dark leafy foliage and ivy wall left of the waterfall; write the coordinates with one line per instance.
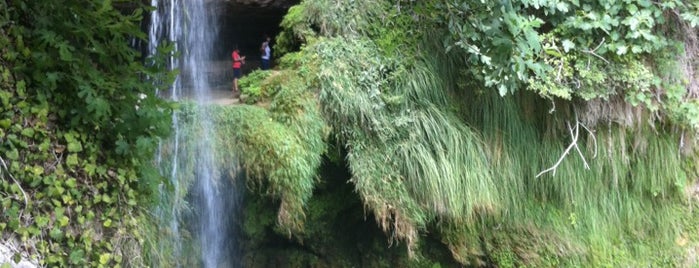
(76, 138)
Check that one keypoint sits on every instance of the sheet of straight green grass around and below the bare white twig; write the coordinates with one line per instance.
(625, 210)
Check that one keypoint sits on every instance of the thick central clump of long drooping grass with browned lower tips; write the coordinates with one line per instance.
(412, 160)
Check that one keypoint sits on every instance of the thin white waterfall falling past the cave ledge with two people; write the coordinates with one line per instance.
(199, 202)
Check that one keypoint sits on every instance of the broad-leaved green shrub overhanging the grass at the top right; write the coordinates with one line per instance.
(507, 45)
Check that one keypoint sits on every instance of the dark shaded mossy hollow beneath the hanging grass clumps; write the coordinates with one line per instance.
(337, 233)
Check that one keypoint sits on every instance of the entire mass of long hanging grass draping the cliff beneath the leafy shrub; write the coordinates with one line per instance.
(429, 148)
